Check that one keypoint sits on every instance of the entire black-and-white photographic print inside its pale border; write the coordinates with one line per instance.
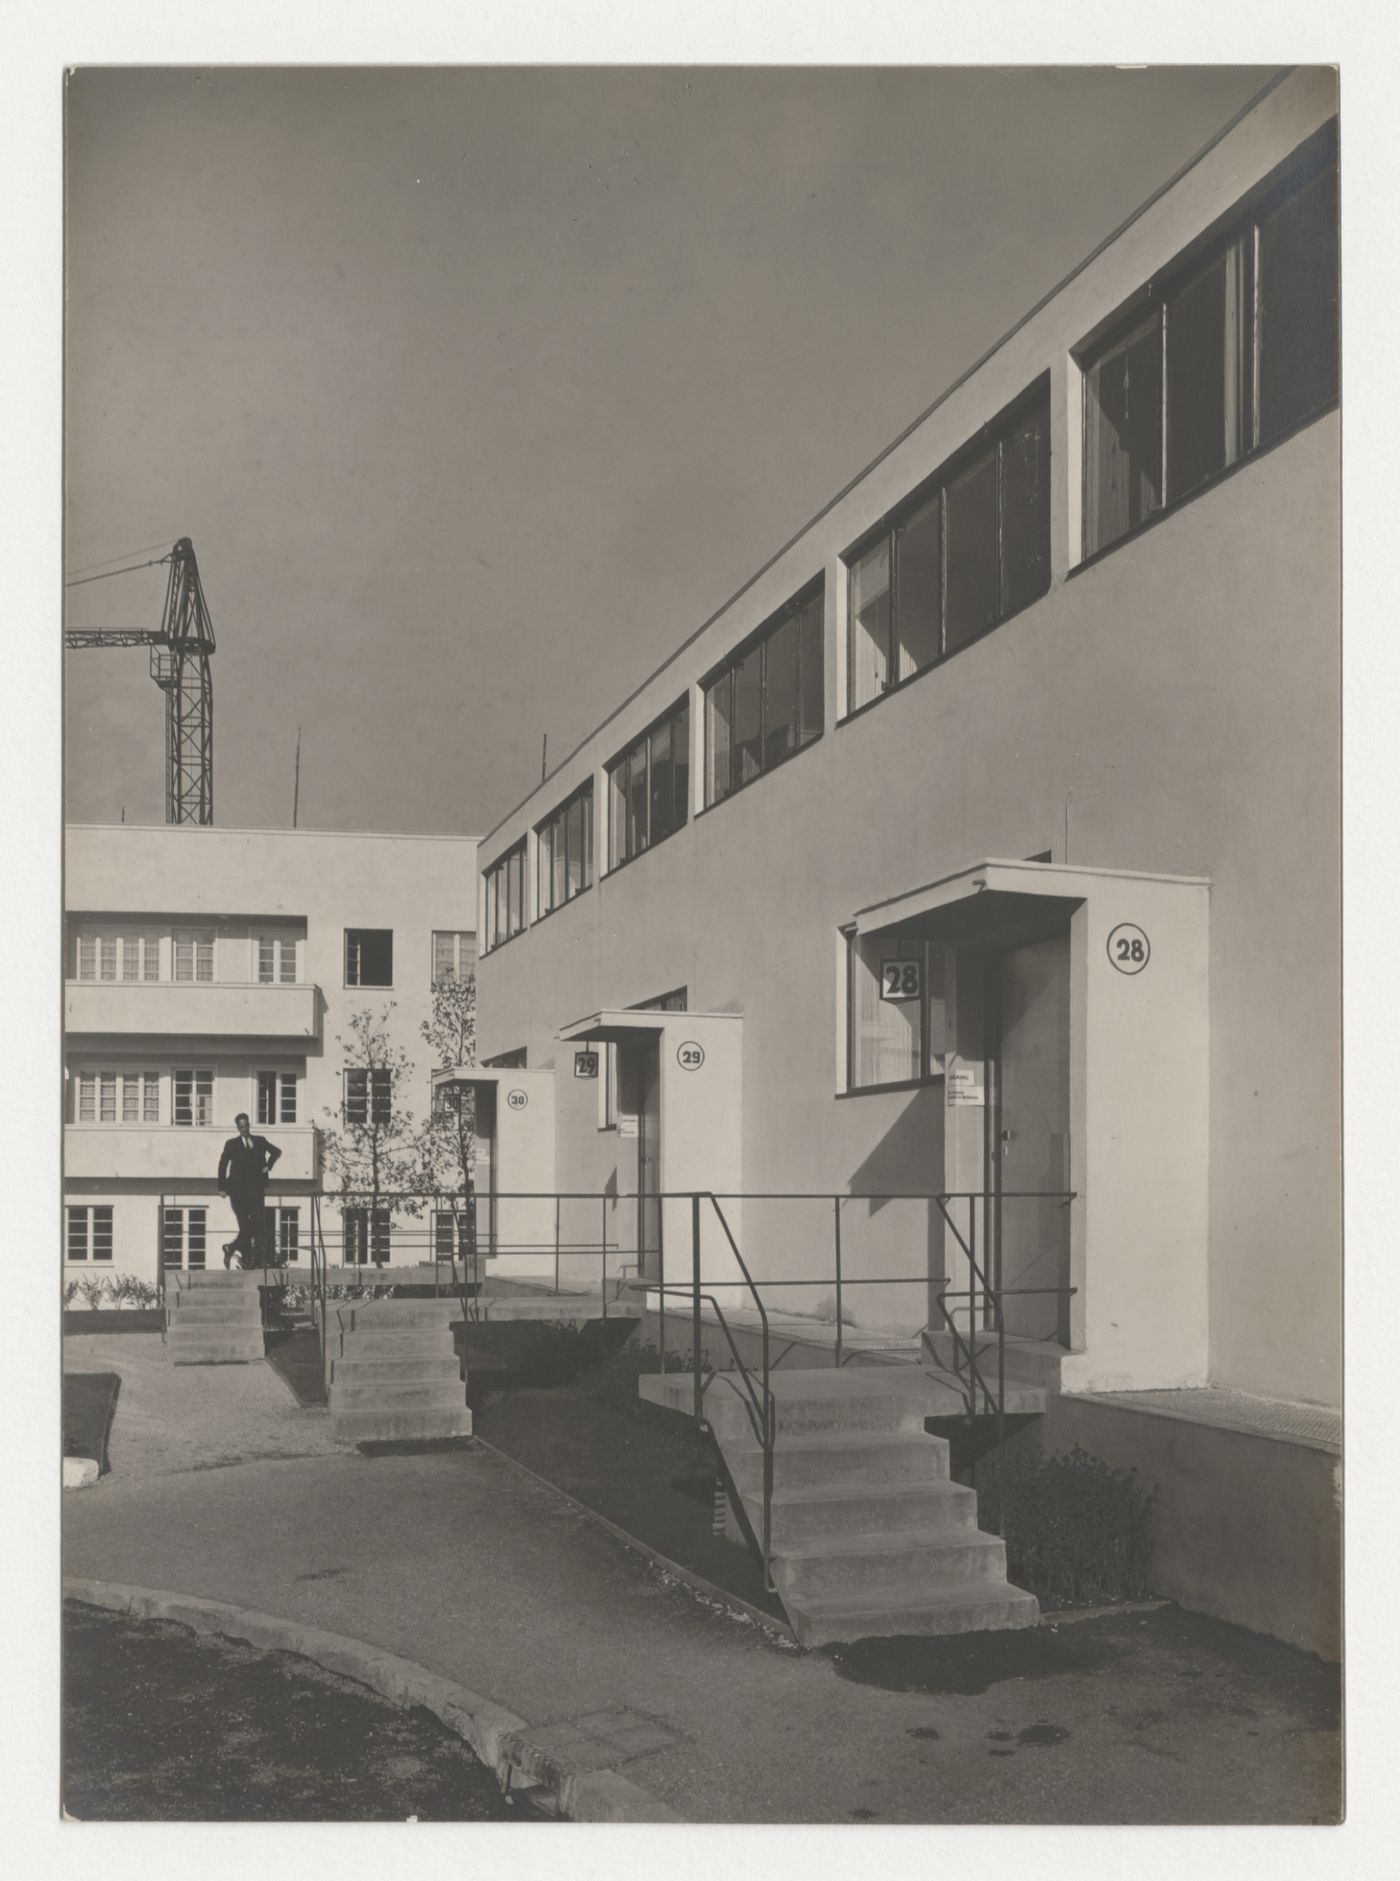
(701, 940)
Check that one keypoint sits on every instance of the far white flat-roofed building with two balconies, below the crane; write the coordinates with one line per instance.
(210, 972)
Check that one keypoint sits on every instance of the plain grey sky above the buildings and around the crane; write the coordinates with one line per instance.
(481, 388)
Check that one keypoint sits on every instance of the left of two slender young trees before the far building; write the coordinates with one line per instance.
(372, 1146)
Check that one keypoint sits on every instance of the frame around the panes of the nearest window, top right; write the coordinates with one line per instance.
(1239, 232)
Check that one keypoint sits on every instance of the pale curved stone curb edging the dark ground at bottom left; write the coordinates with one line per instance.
(503, 1741)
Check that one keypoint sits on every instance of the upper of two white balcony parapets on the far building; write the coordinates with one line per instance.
(182, 1009)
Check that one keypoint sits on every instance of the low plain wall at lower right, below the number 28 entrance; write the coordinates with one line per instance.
(1247, 1528)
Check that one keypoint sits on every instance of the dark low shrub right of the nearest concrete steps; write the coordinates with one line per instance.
(1075, 1528)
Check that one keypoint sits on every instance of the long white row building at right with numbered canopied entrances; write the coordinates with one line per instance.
(987, 844)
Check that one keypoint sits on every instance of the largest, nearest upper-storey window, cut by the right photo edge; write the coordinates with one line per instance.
(1220, 358)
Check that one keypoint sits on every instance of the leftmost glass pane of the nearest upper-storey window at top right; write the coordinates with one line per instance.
(1122, 437)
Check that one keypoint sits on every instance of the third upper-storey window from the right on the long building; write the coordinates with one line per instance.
(767, 701)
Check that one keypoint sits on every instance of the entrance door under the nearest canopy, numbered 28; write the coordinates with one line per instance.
(1030, 1133)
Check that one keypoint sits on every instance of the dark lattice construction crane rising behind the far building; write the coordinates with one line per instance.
(180, 665)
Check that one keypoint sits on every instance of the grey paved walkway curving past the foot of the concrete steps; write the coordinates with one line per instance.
(462, 1564)
